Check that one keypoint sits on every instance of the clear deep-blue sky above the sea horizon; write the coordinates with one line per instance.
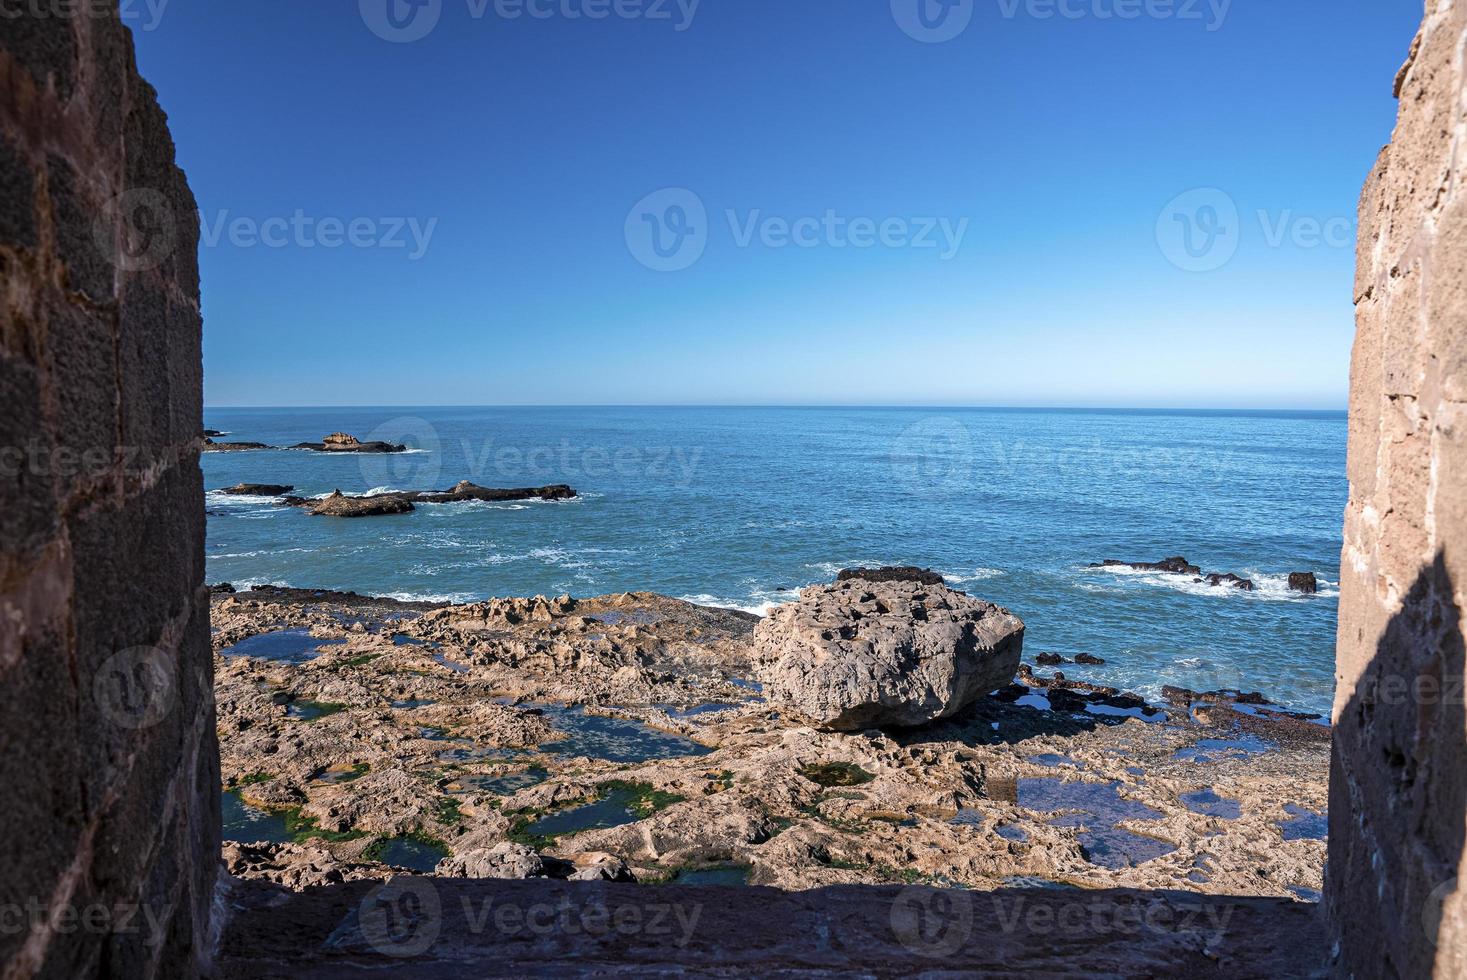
(524, 145)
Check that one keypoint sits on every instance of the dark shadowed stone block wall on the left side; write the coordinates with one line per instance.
(109, 834)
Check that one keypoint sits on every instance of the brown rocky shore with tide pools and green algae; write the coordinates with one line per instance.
(626, 739)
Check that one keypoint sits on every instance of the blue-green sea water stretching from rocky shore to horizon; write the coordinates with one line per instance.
(730, 505)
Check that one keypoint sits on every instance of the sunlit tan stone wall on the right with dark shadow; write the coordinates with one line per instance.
(1399, 787)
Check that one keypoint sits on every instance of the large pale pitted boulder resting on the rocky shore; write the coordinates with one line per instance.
(860, 655)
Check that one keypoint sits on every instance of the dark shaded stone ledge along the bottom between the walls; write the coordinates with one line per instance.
(441, 929)
